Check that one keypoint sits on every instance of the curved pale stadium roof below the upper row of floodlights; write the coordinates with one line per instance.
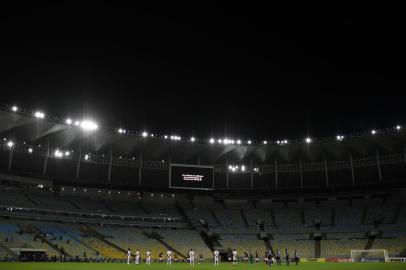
(36, 130)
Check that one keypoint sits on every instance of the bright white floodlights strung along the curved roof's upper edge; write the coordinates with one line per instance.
(89, 125)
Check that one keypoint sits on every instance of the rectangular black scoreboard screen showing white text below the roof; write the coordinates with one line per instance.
(191, 176)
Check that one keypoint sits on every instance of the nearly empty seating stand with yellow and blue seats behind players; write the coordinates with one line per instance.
(345, 224)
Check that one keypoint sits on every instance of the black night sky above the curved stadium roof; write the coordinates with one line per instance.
(243, 71)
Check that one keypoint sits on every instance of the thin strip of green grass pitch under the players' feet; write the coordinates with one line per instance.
(206, 266)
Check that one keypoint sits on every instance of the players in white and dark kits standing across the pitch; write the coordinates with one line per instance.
(269, 259)
